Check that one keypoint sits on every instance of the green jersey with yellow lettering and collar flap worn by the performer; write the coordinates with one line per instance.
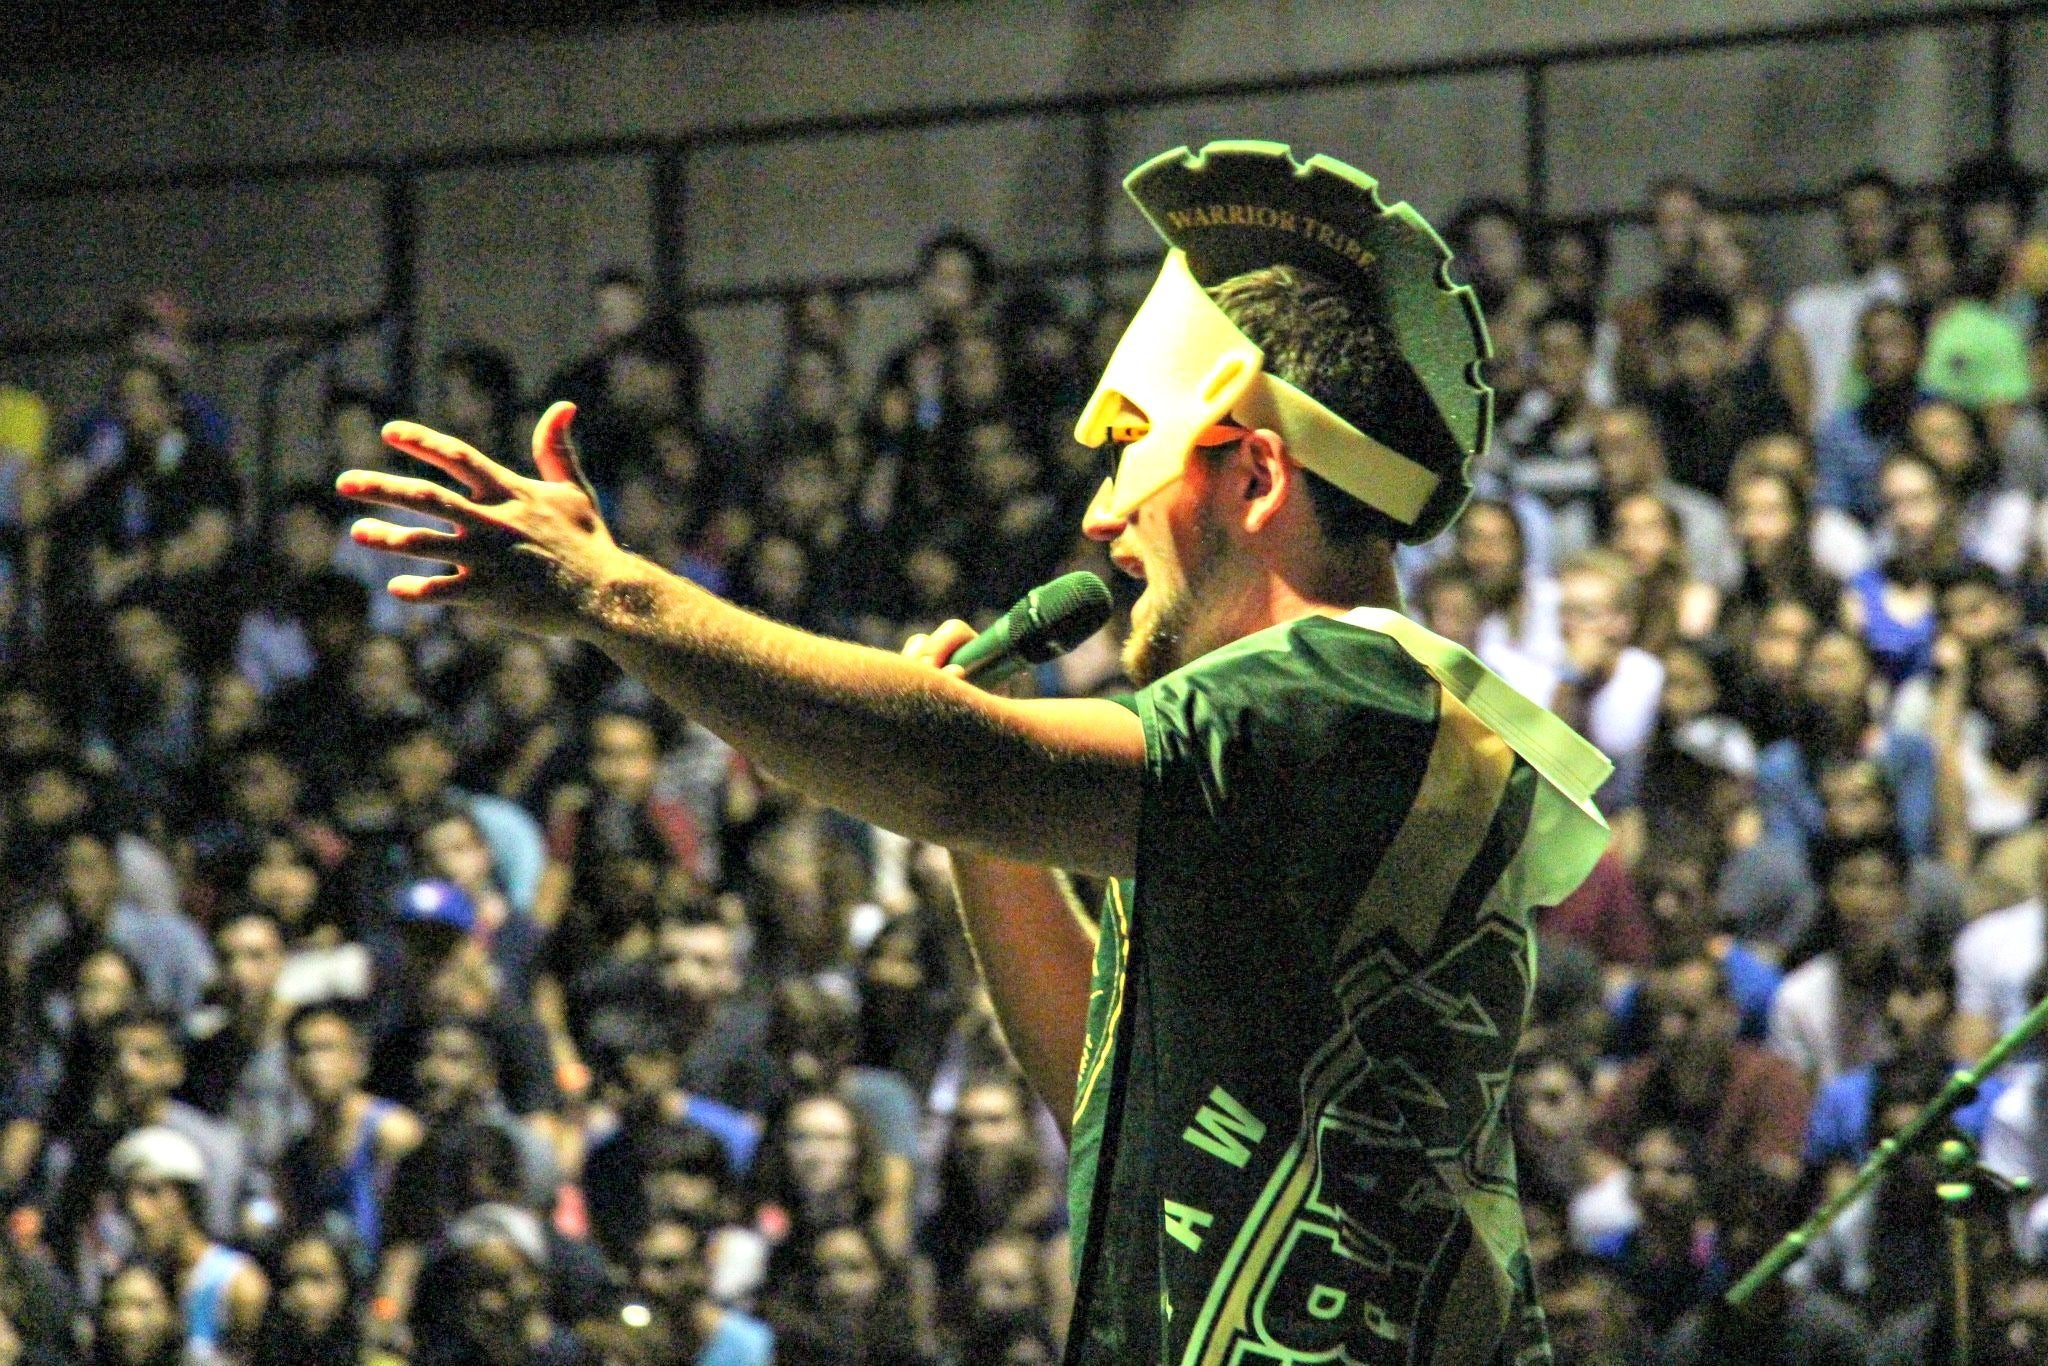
(1291, 1134)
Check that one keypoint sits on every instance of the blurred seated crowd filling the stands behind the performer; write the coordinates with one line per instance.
(390, 988)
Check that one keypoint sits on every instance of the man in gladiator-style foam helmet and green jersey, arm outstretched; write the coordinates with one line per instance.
(1287, 1050)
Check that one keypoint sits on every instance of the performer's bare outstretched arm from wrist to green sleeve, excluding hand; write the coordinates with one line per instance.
(880, 736)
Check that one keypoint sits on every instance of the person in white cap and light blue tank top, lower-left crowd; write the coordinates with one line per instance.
(222, 1293)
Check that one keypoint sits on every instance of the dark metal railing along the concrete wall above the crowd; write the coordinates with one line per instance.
(671, 173)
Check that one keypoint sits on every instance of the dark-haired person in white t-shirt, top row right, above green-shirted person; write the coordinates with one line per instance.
(1826, 314)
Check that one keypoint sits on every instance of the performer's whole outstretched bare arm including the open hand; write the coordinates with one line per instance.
(861, 730)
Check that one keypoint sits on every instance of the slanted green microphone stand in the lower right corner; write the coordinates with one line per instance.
(1957, 1189)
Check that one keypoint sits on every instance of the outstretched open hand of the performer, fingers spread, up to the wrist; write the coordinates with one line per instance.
(531, 552)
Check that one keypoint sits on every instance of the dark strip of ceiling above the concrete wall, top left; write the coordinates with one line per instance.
(128, 32)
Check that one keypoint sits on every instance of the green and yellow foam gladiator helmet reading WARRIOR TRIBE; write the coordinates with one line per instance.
(1244, 206)
